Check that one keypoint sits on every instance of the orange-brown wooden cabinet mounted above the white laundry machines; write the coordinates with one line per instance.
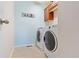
(49, 11)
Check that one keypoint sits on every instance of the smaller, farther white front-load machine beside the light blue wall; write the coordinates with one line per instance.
(39, 41)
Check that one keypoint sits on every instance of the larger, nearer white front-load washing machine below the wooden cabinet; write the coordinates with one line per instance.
(50, 40)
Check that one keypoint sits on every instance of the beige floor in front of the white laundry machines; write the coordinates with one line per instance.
(28, 52)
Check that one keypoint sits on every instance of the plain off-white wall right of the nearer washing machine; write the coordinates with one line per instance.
(68, 29)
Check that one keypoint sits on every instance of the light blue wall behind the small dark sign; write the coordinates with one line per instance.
(26, 28)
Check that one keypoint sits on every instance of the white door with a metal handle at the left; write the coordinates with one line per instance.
(6, 29)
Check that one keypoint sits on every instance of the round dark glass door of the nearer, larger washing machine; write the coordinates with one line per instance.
(50, 41)
